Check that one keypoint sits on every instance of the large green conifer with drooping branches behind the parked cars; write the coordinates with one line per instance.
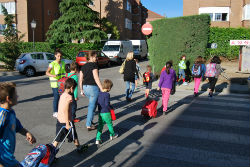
(77, 21)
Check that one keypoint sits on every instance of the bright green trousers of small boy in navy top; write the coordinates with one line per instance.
(104, 118)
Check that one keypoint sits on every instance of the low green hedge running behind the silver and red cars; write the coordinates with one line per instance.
(69, 50)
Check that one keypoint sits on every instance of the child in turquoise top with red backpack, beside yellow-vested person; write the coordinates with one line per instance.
(73, 74)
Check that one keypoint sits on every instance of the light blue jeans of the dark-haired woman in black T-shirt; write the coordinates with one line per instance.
(92, 92)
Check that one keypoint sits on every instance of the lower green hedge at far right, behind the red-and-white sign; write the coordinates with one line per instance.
(222, 37)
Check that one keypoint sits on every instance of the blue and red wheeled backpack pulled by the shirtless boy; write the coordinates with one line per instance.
(40, 156)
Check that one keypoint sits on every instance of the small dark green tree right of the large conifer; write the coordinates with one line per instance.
(109, 28)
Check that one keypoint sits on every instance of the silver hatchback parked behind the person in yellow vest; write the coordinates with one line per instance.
(30, 63)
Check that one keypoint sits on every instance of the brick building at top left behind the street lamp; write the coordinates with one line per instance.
(42, 11)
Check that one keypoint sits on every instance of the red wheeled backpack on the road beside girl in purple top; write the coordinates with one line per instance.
(150, 109)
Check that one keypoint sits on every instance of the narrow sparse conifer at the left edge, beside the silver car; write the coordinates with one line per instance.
(9, 49)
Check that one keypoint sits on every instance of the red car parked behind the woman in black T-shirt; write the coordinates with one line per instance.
(102, 59)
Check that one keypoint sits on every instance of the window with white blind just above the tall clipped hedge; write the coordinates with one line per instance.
(216, 13)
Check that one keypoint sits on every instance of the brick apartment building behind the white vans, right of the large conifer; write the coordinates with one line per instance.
(127, 15)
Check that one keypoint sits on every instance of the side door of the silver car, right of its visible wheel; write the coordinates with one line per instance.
(39, 61)
